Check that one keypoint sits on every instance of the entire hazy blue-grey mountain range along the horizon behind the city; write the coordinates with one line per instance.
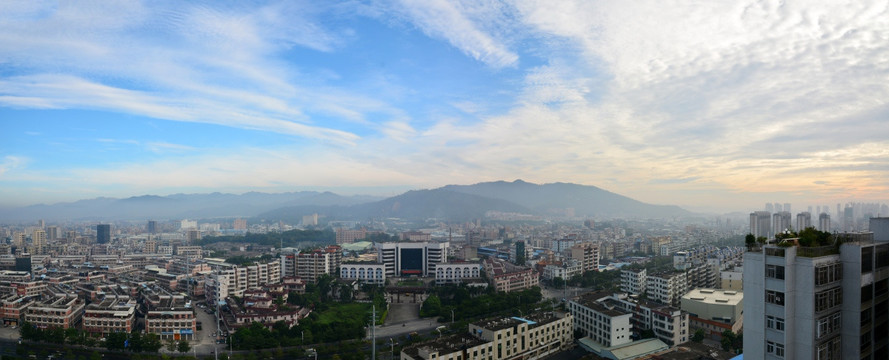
(451, 202)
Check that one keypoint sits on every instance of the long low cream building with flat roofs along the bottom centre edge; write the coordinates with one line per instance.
(533, 337)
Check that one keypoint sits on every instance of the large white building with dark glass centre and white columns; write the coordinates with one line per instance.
(412, 258)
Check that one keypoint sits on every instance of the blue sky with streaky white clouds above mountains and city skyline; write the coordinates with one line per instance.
(719, 105)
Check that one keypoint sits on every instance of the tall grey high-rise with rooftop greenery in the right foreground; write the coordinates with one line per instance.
(819, 302)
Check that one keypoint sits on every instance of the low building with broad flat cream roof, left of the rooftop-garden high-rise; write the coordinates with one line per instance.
(714, 311)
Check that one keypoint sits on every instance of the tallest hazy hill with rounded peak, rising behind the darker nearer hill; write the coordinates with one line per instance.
(586, 200)
